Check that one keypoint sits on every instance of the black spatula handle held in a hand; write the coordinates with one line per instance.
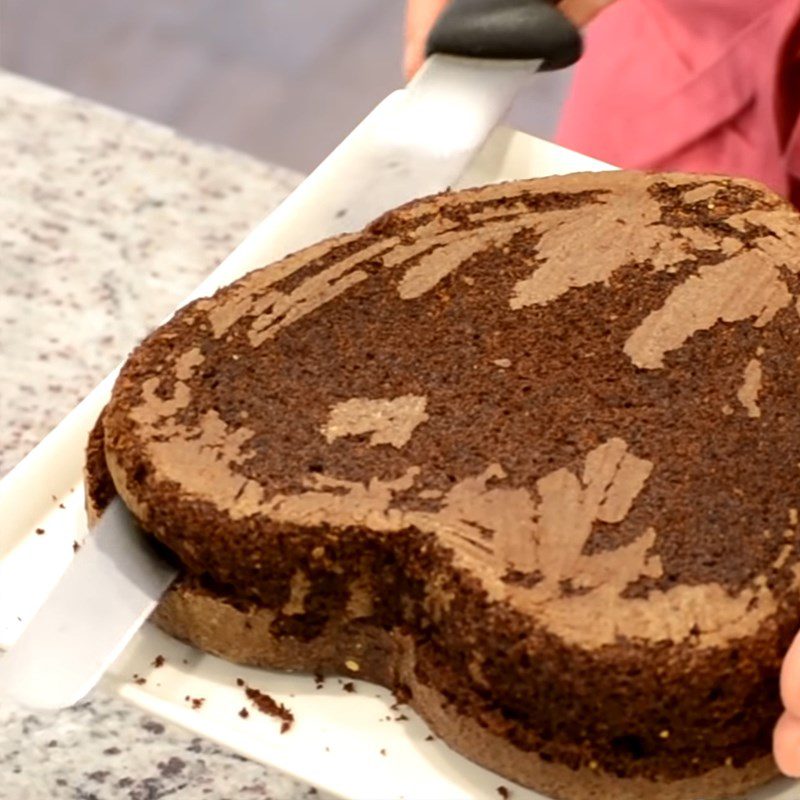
(506, 29)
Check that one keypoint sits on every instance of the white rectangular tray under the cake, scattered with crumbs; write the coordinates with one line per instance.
(350, 744)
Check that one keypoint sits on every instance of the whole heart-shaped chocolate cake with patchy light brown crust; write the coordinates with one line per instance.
(528, 454)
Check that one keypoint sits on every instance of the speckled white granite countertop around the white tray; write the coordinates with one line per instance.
(107, 222)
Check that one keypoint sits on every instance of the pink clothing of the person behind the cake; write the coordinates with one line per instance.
(694, 85)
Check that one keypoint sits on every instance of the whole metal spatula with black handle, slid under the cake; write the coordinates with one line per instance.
(480, 54)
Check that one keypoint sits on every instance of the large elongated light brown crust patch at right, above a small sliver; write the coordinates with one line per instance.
(743, 287)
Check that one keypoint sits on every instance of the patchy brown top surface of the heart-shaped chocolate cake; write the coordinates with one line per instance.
(584, 387)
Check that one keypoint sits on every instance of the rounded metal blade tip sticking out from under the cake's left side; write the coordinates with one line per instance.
(109, 589)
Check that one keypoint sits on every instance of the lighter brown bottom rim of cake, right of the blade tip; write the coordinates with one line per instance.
(360, 649)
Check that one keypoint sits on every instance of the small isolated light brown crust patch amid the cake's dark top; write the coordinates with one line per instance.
(391, 421)
